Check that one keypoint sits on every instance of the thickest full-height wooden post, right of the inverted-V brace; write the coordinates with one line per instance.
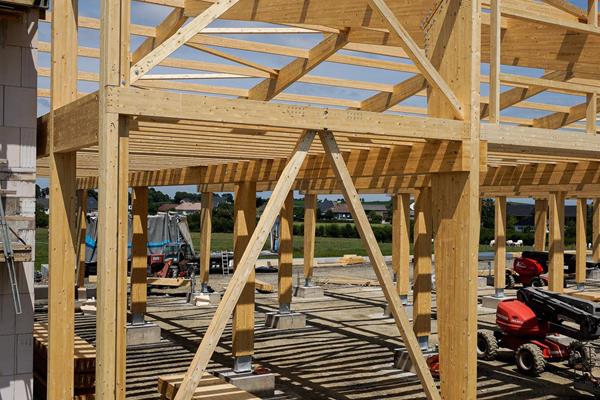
(453, 37)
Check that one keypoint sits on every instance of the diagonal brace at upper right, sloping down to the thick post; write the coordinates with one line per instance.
(417, 56)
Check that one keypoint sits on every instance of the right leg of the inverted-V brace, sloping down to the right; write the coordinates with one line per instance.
(377, 261)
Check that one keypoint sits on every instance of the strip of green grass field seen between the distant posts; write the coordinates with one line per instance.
(325, 247)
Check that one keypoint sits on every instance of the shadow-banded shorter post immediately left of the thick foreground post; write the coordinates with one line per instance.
(422, 271)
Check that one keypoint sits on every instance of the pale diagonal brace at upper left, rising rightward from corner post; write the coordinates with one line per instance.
(179, 38)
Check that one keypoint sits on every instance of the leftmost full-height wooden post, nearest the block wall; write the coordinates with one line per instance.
(63, 206)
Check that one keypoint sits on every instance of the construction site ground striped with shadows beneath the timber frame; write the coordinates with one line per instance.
(345, 352)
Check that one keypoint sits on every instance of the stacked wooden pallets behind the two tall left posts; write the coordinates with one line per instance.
(84, 358)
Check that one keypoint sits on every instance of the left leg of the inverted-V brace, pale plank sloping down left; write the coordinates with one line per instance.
(244, 270)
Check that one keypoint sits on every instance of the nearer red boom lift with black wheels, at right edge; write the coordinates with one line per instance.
(541, 327)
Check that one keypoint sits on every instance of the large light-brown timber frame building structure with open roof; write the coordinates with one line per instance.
(456, 150)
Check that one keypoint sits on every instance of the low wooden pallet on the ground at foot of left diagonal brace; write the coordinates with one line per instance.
(210, 387)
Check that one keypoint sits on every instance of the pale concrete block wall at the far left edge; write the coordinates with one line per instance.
(18, 108)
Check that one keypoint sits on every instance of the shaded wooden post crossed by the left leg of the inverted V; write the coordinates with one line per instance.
(243, 316)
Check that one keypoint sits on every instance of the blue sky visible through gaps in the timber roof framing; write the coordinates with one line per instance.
(148, 14)
